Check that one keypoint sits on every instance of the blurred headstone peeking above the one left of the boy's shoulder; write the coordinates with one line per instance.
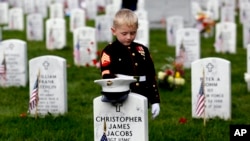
(77, 18)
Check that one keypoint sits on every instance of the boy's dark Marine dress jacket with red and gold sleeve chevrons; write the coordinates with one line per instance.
(133, 60)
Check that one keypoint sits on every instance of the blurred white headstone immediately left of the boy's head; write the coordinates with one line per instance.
(103, 24)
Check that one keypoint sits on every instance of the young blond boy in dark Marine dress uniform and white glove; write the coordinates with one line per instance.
(126, 58)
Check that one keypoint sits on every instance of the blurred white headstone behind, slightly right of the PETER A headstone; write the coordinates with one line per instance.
(225, 37)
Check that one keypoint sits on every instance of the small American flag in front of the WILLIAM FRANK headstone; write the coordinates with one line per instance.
(34, 96)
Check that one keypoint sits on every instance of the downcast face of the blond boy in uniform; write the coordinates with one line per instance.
(124, 34)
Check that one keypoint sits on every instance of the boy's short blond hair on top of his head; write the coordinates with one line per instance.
(125, 17)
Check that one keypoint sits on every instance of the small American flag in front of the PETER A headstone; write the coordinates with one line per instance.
(200, 105)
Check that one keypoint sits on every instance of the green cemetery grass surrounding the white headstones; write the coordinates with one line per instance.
(174, 122)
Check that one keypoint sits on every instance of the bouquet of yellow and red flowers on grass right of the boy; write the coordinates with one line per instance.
(171, 75)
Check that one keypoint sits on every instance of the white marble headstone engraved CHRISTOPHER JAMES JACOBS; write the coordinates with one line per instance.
(127, 121)
